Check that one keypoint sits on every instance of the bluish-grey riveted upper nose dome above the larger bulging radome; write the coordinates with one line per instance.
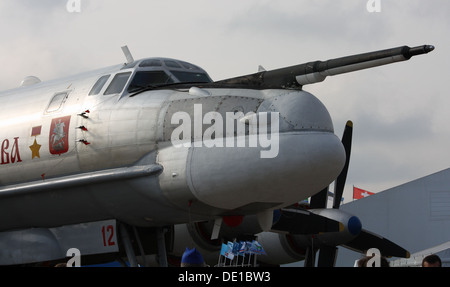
(299, 111)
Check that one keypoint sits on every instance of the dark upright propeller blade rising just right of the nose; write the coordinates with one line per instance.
(340, 181)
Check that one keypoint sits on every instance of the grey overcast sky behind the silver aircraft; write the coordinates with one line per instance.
(400, 112)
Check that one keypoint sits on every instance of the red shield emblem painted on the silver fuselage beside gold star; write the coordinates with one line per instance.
(59, 135)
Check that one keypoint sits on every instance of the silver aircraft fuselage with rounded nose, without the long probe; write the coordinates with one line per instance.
(55, 133)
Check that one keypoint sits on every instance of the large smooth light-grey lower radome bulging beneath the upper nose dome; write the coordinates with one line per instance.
(293, 174)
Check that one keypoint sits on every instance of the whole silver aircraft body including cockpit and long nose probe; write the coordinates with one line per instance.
(156, 143)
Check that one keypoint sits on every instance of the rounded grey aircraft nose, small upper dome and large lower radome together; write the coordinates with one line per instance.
(308, 157)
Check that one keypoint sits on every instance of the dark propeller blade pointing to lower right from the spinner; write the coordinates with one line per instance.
(366, 240)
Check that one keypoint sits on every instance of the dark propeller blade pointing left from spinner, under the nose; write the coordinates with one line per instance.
(300, 221)
